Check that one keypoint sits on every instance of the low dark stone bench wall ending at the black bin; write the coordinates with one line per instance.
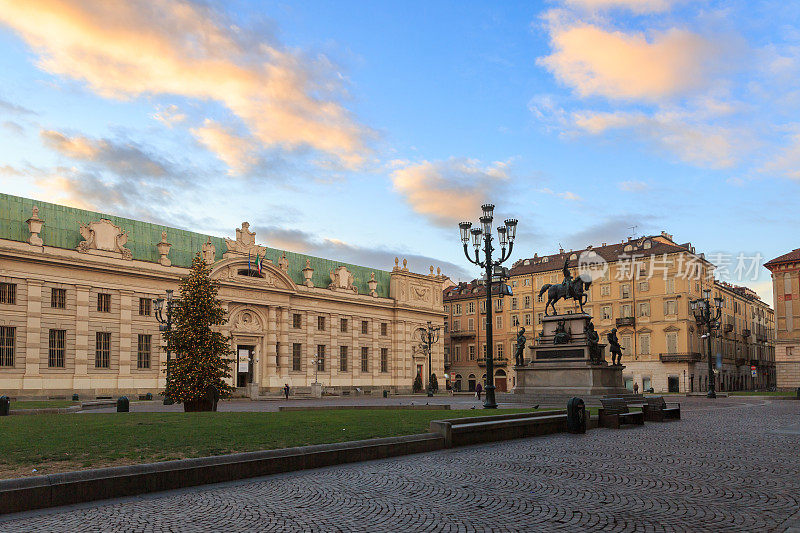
(474, 430)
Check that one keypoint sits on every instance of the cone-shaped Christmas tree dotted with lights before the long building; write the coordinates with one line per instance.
(200, 365)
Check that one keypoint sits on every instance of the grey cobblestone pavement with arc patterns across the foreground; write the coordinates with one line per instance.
(731, 465)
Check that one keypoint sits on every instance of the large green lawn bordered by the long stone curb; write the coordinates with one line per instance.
(66, 442)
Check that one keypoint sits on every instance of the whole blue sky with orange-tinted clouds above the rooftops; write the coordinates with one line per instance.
(361, 131)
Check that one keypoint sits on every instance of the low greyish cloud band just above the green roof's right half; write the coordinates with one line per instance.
(334, 249)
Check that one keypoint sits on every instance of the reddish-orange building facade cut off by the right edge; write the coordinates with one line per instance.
(786, 291)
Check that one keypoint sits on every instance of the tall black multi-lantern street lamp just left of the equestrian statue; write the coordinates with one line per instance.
(506, 235)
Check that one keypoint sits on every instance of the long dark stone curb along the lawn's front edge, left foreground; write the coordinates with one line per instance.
(69, 488)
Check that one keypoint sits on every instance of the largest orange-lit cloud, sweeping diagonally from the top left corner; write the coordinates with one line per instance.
(172, 47)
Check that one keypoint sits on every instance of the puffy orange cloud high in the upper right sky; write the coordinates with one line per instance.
(618, 65)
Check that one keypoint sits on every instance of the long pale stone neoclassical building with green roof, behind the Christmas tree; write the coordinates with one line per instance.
(77, 314)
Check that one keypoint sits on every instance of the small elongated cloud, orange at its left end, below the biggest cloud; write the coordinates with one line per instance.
(124, 159)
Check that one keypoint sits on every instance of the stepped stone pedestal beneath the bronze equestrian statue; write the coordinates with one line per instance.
(561, 363)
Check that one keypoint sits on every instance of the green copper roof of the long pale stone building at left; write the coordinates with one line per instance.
(62, 230)
